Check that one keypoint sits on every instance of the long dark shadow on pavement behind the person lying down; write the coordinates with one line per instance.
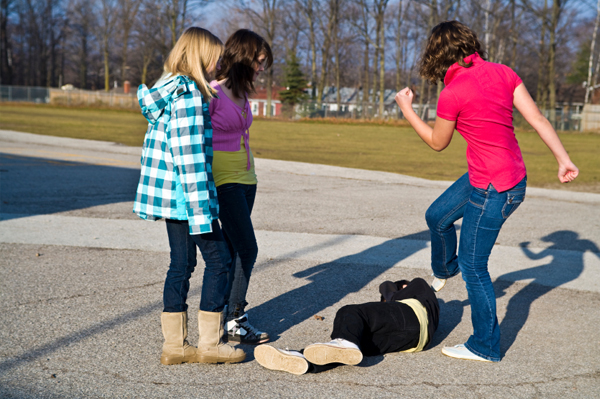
(330, 282)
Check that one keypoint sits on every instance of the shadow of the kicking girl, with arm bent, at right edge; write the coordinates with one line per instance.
(566, 265)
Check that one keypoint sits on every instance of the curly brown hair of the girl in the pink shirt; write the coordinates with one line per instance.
(450, 42)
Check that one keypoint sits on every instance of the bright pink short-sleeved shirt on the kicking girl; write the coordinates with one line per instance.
(480, 100)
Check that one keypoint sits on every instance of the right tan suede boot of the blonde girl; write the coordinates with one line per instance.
(210, 347)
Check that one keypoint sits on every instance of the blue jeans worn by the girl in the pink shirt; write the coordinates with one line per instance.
(484, 211)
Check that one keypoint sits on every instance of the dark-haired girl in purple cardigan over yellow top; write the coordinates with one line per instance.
(246, 56)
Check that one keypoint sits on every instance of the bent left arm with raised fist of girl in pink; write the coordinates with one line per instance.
(437, 137)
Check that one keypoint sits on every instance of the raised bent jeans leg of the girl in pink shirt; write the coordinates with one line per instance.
(440, 217)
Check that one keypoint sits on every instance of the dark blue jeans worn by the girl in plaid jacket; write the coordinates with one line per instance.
(183, 262)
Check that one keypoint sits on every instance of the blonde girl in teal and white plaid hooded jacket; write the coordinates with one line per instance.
(176, 184)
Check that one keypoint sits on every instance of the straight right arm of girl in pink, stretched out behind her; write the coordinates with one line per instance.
(567, 171)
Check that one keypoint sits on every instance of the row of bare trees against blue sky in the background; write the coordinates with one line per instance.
(372, 44)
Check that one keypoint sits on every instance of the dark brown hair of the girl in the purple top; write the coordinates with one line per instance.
(242, 50)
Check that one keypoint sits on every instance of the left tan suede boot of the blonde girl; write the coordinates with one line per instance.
(176, 349)
